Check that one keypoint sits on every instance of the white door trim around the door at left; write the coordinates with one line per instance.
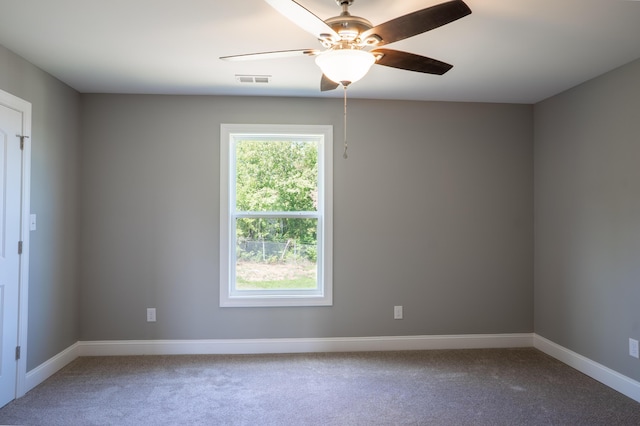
(24, 108)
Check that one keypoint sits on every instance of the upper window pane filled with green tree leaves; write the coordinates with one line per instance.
(277, 176)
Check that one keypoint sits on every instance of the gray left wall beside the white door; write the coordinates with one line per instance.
(53, 282)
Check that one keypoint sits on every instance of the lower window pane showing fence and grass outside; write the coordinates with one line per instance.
(275, 254)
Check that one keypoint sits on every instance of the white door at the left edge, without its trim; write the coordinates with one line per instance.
(10, 231)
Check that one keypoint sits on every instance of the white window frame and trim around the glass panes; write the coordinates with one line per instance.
(229, 296)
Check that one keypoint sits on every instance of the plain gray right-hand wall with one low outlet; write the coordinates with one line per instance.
(587, 218)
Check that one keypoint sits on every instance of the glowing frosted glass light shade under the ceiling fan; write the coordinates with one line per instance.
(345, 66)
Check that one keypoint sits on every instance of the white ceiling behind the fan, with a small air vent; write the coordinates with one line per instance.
(514, 51)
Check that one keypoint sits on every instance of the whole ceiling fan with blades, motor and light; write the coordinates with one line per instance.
(352, 44)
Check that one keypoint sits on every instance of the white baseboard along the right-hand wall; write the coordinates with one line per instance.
(599, 372)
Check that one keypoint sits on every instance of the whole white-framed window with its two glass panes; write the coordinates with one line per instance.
(276, 215)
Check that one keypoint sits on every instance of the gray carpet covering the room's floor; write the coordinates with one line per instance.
(463, 387)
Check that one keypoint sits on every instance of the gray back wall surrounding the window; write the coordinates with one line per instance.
(447, 188)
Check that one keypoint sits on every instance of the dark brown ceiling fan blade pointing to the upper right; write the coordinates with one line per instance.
(417, 22)
